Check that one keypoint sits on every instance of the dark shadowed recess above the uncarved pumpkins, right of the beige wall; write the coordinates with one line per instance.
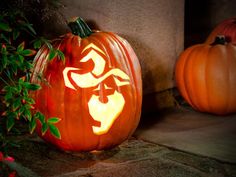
(202, 16)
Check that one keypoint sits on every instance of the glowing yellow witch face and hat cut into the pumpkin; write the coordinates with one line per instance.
(105, 113)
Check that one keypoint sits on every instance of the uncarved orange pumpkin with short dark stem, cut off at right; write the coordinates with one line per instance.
(206, 77)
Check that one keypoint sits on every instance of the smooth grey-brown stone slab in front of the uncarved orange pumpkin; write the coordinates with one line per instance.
(188, 130)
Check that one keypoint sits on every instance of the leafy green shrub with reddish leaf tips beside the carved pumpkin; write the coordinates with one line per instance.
(18, 45)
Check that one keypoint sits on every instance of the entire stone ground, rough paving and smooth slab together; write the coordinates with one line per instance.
(173, 143)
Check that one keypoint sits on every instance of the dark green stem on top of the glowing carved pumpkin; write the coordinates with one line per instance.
(79, 27)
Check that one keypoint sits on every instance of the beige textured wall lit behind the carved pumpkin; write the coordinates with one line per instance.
(153, 27)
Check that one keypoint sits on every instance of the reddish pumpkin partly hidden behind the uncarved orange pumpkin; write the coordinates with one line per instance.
(226, 28)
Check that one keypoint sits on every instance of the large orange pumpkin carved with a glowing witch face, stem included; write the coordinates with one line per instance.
(96, 92)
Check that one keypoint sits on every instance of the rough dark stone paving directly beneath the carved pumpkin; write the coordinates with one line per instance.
(133, 158)
